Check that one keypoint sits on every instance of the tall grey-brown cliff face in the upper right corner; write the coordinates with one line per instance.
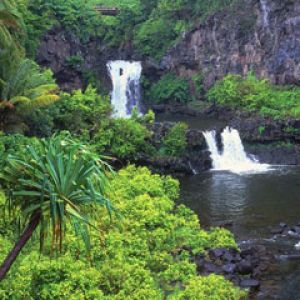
(256, 35)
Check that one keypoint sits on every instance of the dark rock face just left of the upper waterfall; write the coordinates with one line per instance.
(72, 60)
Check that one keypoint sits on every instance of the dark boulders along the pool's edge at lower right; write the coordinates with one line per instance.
(252, 266)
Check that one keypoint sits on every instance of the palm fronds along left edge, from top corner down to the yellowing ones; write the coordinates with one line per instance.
(24, 87)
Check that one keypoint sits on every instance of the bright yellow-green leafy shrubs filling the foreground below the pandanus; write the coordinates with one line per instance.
(138, 255)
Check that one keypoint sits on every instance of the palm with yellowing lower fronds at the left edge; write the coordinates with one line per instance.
(23, 89)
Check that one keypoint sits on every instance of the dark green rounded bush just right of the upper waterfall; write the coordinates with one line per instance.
(170, 88)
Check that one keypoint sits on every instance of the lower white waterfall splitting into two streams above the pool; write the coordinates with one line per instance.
(233, 158)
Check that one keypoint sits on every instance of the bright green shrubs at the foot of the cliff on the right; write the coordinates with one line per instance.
(257, 95)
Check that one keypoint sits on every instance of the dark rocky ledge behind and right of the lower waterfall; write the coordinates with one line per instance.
(272, 141)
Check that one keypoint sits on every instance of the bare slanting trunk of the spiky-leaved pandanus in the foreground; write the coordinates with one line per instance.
(11, 257)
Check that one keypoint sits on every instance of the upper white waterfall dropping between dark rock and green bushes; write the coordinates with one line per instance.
(125, 76)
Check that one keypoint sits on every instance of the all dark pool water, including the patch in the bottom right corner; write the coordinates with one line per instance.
(252, 204)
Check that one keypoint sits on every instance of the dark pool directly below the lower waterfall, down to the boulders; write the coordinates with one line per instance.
(252, 203)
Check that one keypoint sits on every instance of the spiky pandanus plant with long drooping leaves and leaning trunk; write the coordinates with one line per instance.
(54, 183)
